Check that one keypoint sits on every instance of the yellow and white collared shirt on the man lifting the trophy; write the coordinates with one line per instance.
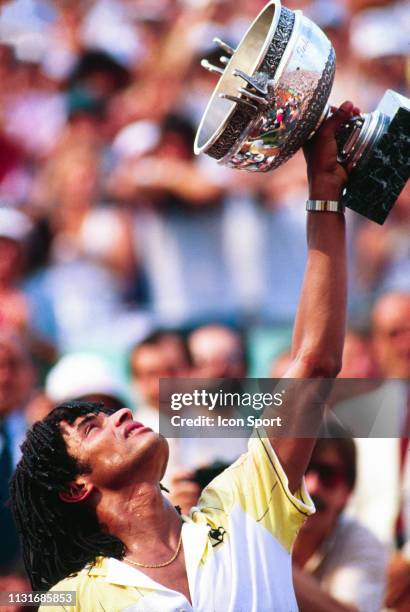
(237, 544)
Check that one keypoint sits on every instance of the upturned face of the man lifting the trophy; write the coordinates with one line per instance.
(118, 451)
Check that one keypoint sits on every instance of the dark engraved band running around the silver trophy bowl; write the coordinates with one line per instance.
(242, 115)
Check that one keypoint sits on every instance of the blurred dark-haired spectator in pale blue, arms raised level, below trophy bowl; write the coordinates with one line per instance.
(179, 217)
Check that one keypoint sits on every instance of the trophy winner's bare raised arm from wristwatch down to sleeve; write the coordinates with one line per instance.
(317, 345)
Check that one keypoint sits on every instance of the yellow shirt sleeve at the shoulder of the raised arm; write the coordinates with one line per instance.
(259, 485)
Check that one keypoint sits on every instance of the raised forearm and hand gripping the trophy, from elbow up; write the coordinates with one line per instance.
(320, 322)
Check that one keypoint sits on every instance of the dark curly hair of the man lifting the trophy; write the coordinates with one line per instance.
(58, 538)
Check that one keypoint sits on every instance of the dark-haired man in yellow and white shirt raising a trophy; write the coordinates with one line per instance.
(87, 491)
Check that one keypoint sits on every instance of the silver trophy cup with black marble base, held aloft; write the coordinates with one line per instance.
(273, 95)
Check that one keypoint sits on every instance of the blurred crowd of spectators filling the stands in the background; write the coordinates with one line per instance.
(124, 258)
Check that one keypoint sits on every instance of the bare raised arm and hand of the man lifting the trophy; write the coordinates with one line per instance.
(320, 321)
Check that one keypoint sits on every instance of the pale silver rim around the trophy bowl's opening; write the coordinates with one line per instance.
(201, 144)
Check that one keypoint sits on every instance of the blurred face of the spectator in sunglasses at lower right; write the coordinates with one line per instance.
(327, 483)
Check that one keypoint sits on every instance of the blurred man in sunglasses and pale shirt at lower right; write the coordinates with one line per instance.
(339, 565)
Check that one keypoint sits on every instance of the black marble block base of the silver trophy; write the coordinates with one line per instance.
(379, 177)
